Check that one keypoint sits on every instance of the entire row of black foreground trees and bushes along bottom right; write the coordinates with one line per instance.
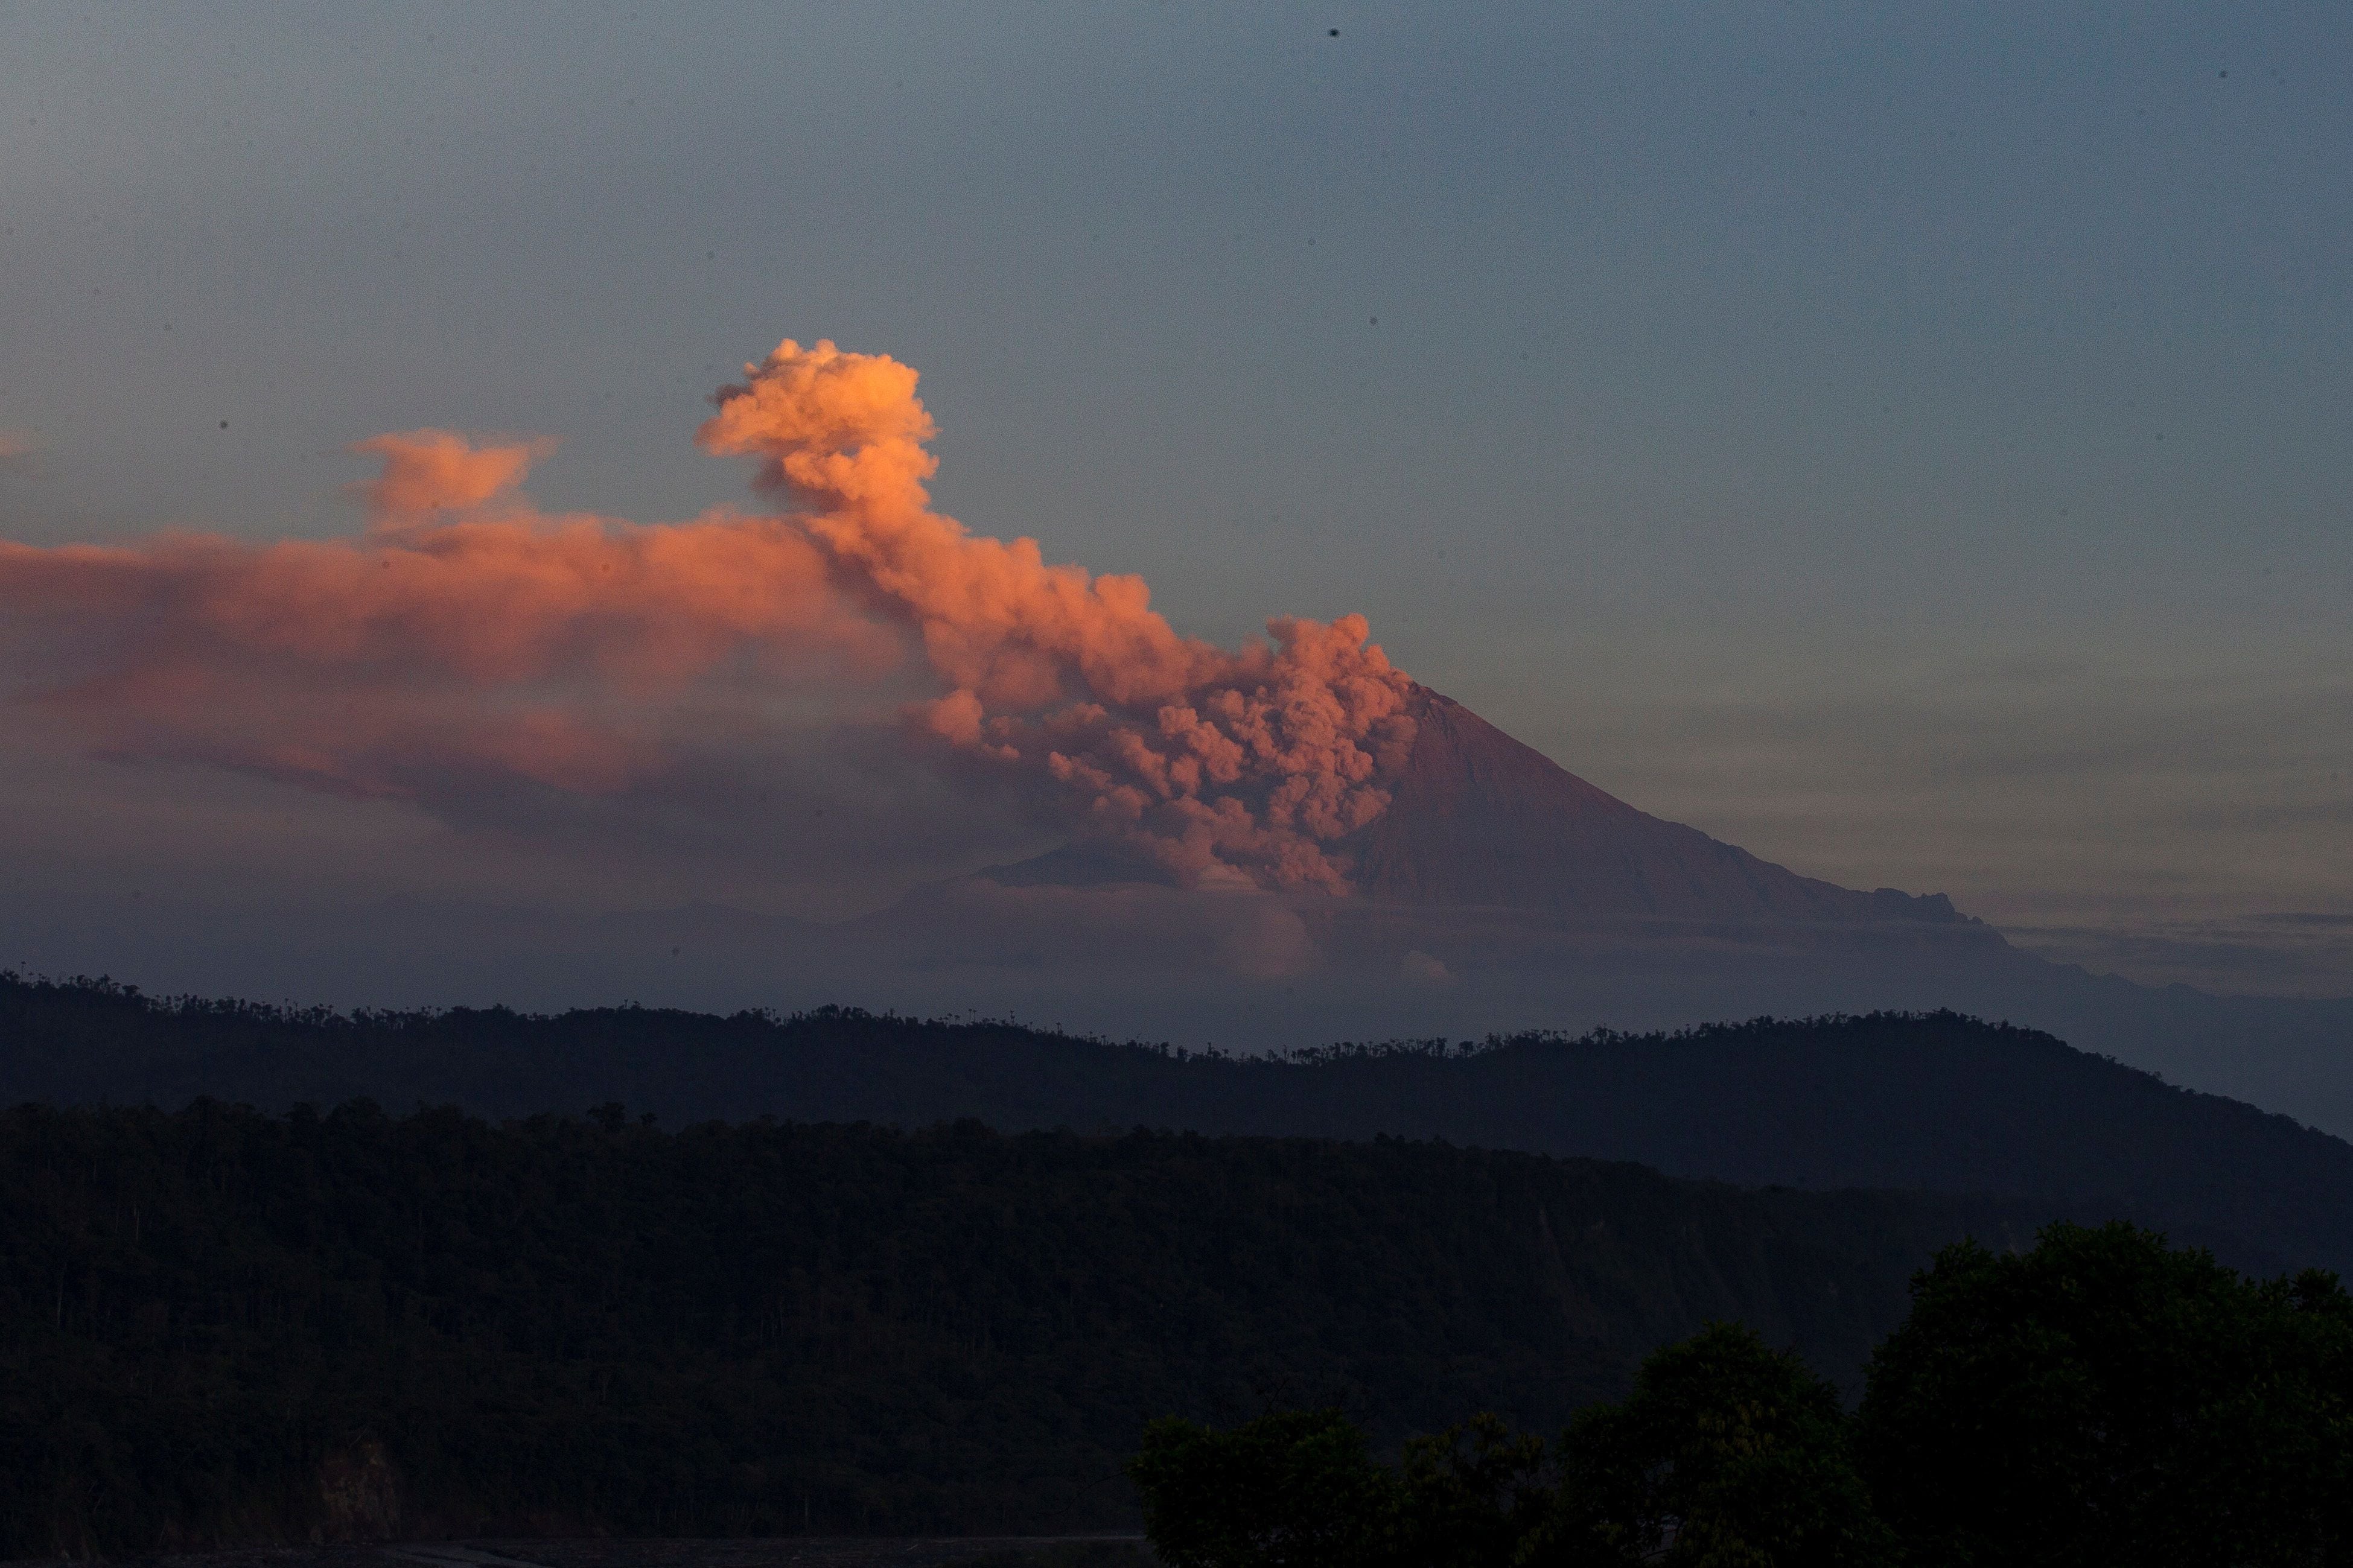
(2098, 1402)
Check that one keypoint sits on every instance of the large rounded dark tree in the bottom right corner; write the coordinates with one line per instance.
(2107, 1400)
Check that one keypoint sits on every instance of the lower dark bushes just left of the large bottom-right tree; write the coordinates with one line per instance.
(1726, 1454)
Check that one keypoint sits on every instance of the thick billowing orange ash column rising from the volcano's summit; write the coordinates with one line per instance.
(1215, 763)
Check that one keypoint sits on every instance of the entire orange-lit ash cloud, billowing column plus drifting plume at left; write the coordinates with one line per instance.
(467, 638)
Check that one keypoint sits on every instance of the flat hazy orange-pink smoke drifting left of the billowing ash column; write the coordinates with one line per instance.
(460, 636)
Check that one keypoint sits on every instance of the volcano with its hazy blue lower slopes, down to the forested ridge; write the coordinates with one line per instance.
(1500, 894)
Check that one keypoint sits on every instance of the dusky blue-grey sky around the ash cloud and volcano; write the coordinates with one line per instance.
(1902, 441)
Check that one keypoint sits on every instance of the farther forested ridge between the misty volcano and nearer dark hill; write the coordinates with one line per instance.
(1881, 1101)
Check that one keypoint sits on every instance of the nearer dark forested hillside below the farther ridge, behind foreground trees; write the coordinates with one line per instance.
(220, 1325)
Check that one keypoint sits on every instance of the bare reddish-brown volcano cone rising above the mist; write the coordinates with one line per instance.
(1479, 819)
